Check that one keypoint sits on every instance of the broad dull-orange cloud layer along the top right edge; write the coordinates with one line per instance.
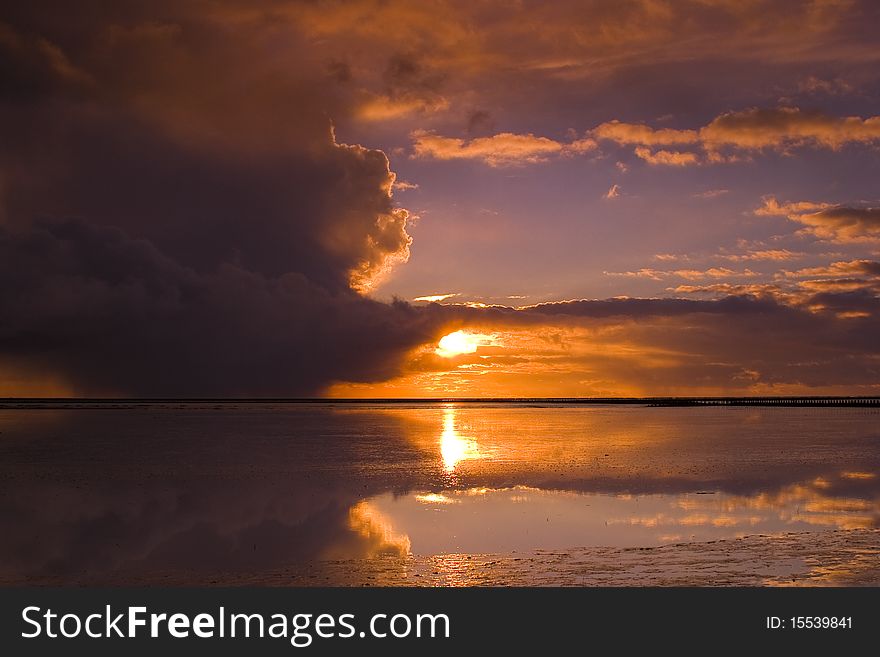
(539, 38)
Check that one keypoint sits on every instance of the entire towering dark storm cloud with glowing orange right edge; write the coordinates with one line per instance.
(177, 216)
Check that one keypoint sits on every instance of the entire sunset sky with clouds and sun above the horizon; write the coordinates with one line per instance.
(442, 198)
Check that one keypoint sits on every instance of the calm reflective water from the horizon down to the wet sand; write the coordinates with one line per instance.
(196, 493)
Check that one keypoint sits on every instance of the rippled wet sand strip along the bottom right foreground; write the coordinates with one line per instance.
(836, 558)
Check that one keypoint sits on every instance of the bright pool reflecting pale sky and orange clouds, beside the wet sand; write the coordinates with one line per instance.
(523, 518)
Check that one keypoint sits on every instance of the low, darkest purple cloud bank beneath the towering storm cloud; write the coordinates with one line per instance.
(115, 314)
